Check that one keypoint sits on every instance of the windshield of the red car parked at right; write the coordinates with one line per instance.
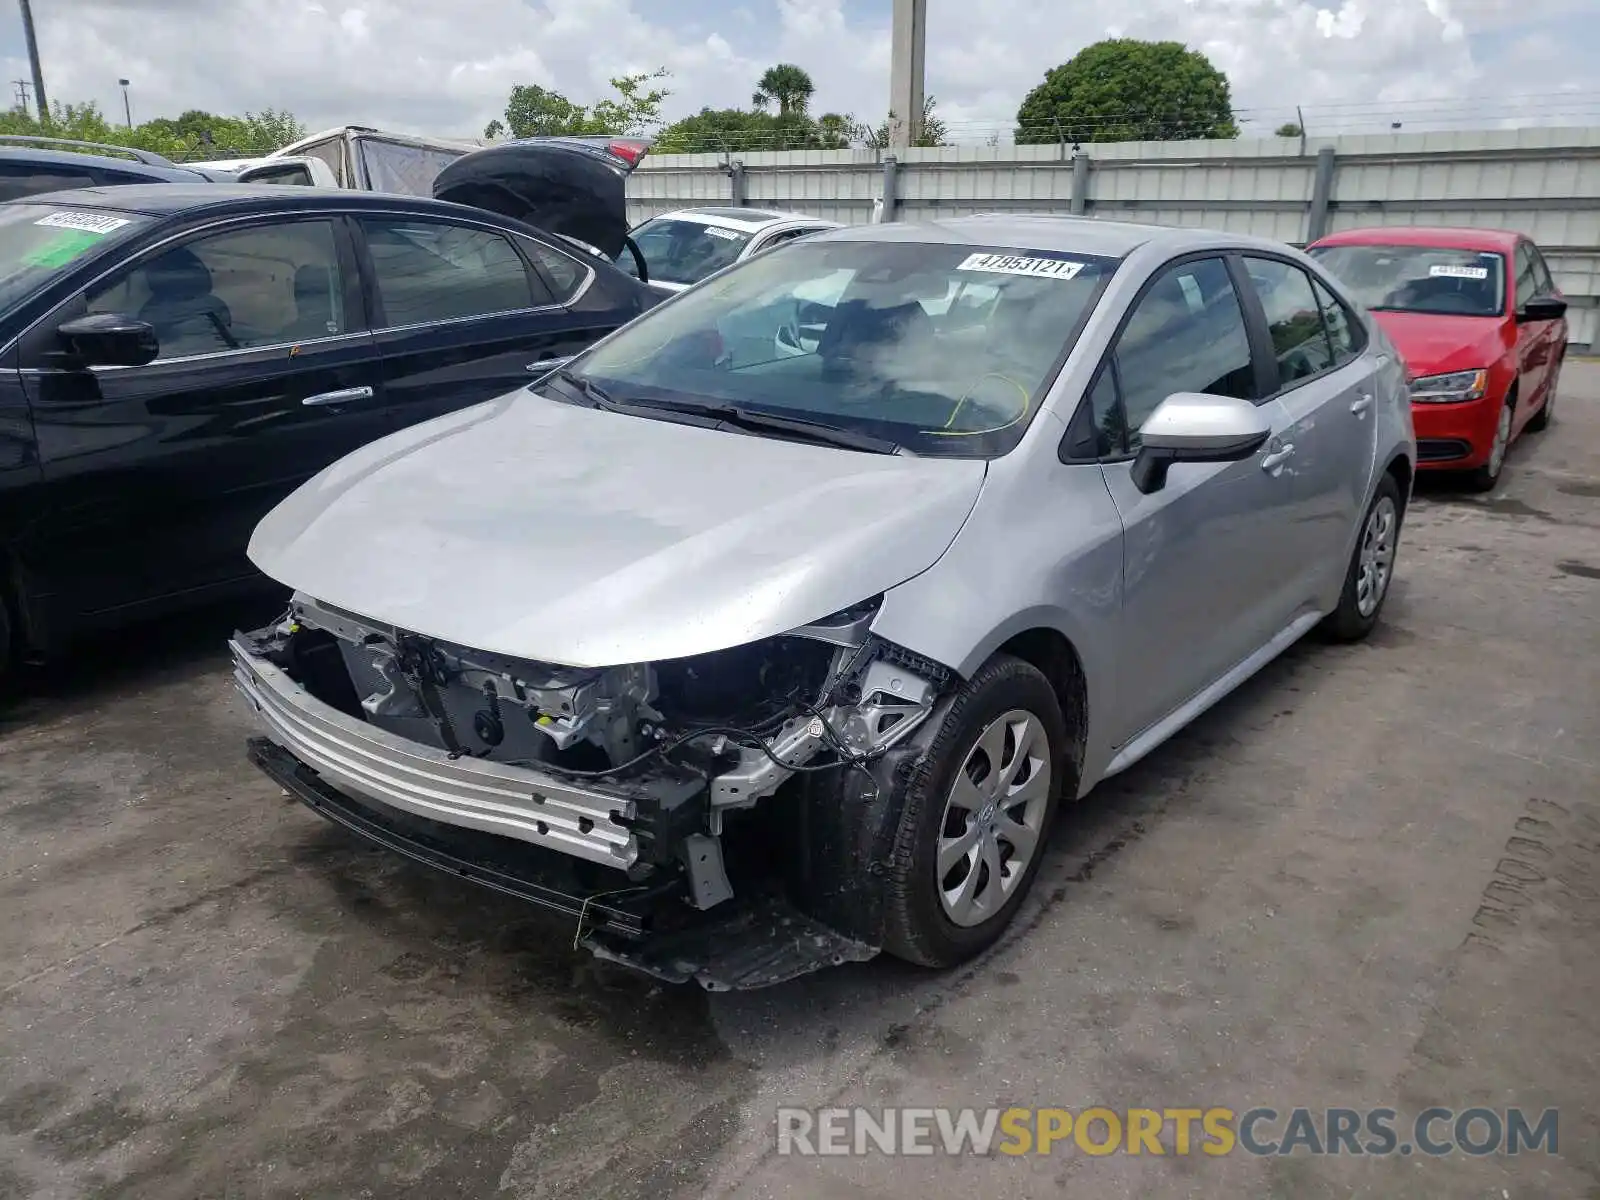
(1420, 279)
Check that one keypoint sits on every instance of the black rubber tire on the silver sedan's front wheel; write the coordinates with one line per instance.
(918, 927)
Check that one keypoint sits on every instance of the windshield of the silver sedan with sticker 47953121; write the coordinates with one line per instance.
(942, 350)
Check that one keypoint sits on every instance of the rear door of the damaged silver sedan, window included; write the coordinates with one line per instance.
(1326, 386)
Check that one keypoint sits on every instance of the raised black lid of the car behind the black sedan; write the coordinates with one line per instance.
(574, 188)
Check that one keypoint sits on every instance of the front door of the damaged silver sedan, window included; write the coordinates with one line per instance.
(1204, 556)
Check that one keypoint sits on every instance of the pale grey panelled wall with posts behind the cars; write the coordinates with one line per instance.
(1543, 182)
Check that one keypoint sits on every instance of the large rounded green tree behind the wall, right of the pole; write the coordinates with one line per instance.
(1129, 90)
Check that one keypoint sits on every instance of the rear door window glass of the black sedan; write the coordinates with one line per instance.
(433, 271)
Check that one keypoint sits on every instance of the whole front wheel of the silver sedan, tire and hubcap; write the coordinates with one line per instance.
(975, 818)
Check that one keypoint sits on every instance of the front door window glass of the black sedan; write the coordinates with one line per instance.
(266, 286)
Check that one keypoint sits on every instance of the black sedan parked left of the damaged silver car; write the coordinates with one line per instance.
(177, 359)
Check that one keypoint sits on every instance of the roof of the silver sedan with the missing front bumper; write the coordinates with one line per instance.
(1050, 233)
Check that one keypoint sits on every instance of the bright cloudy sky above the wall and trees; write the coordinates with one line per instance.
(446, 66)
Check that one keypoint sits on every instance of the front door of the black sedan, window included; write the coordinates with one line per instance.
(156, 476)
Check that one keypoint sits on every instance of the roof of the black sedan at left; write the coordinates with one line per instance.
(196, 198)
